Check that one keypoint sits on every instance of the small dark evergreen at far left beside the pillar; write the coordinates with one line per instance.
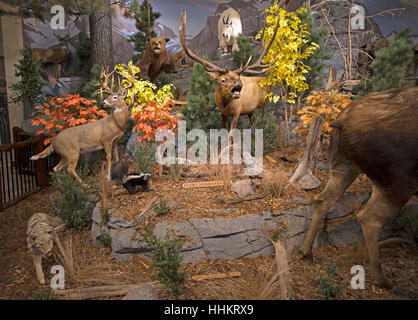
(28, 89)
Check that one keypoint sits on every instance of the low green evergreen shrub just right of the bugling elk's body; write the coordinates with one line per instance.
(271, 131)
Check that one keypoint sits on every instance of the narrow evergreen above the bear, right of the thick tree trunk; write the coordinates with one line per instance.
(144, 25)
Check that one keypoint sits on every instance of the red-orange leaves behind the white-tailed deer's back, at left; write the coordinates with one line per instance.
(63, 113)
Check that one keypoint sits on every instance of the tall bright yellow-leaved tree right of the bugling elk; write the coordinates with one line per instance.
(291, 47)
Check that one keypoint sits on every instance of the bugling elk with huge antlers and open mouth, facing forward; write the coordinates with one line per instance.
(235, 94)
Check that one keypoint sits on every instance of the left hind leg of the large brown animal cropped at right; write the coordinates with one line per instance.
(342, 176)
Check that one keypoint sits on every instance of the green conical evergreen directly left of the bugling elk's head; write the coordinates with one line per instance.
(200, 111)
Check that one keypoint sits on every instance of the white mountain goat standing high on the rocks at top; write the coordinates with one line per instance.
(229, 27)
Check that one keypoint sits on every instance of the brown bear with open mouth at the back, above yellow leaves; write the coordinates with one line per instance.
(156, 60)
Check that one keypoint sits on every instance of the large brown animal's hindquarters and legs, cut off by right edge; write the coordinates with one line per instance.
(376, 135)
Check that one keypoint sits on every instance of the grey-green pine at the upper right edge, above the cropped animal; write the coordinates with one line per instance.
(391, 63)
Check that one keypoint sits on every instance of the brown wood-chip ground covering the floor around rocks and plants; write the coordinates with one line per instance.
(18, 279)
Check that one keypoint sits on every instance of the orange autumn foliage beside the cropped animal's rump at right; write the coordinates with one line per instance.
(328, 104)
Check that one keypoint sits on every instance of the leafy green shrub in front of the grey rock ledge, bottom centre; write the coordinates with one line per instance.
(166, 259)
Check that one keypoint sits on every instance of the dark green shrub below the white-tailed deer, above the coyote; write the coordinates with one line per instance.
(70, 204)
